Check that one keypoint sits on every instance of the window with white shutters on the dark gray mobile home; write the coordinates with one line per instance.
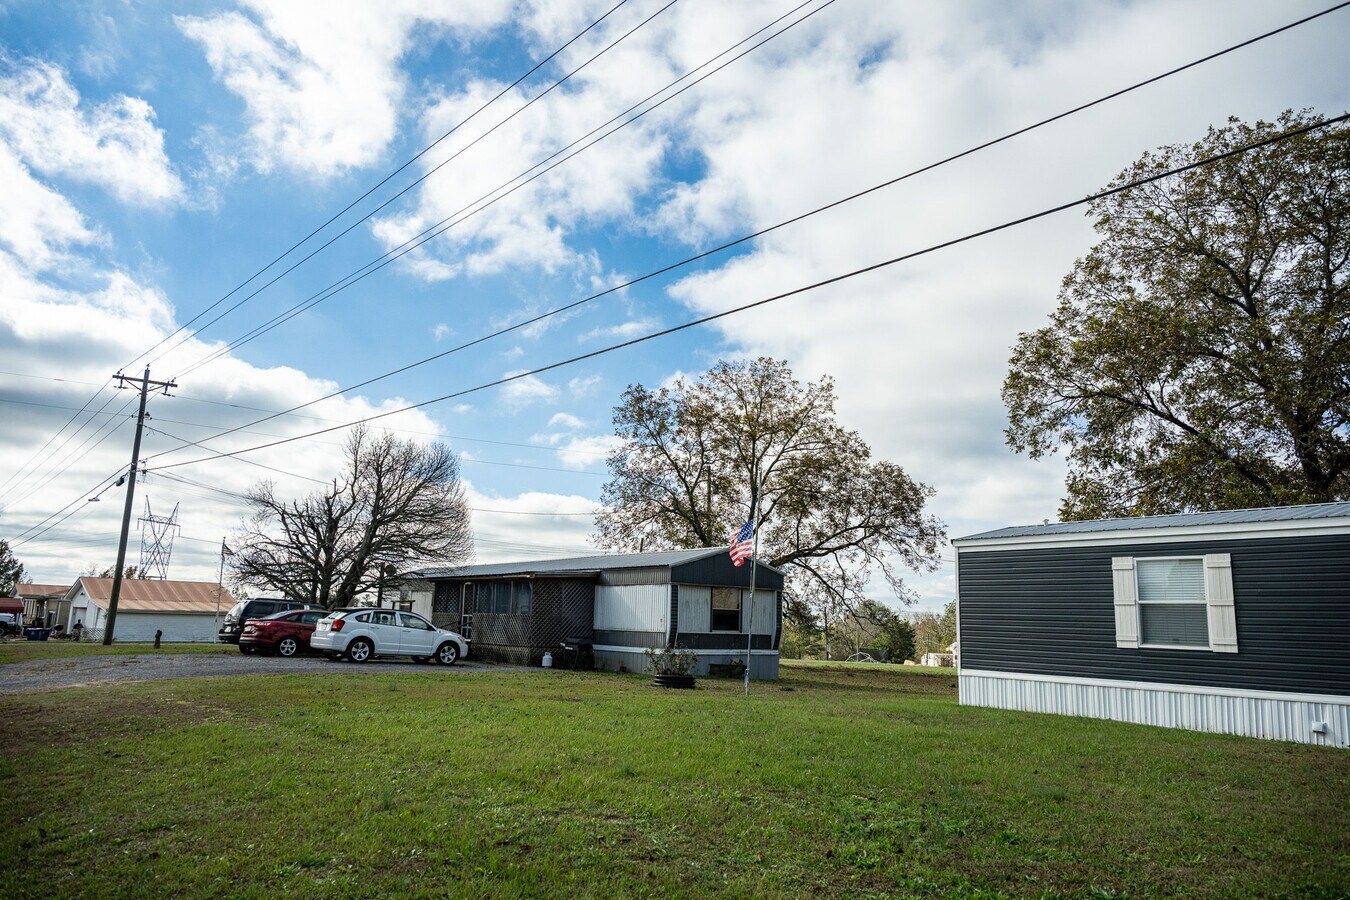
(1179, 602)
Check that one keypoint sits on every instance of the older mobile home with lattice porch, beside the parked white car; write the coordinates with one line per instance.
(619, 604)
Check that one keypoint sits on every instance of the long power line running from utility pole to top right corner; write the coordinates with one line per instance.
(801, 217)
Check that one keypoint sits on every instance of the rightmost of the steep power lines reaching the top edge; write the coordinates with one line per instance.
(473, 208)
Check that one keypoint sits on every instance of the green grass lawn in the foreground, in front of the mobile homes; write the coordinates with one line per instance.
(835, 781)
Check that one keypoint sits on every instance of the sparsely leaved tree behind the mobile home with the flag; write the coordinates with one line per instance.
(693, 454)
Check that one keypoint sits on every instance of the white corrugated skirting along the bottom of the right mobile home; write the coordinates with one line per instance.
(1252, 717)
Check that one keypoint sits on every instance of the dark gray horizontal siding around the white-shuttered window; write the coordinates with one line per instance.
(1051, 612)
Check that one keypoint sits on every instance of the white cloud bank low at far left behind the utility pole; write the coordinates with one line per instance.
(70, 342)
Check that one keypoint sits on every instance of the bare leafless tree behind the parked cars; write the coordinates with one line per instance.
(396, 503)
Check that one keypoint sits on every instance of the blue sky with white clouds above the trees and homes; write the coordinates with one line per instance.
(156, 156)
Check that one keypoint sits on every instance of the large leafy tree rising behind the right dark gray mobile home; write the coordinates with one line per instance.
(1201, 353)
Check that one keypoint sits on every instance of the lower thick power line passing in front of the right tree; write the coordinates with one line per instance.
(804, 289)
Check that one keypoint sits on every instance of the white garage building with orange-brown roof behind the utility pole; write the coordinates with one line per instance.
(183, 611)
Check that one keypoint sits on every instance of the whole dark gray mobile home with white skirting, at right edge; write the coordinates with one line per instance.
(1236, 623)
